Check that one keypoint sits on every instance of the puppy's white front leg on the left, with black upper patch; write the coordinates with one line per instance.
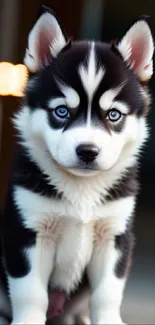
(28, 292)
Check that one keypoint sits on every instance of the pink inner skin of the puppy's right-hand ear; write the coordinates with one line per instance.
(138, 53)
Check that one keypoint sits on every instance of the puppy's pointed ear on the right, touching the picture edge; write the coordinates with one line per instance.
(136, 48)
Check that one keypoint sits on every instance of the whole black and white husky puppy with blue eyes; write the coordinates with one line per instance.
(65, 215)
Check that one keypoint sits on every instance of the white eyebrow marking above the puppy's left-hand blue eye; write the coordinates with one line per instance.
(71, 96)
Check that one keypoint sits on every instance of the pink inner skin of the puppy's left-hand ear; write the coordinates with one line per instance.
(45, 39)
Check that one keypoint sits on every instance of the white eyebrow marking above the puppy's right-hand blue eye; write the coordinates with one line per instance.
(108, 97)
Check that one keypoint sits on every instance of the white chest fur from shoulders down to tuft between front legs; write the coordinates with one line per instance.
(73, 229)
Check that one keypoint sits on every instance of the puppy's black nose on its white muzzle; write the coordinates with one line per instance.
(87, 152)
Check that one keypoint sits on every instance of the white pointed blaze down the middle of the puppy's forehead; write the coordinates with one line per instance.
(89, 75)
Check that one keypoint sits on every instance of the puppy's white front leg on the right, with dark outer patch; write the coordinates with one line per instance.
(107, 274)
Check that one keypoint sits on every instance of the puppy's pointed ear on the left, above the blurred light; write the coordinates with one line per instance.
(45, 40)
